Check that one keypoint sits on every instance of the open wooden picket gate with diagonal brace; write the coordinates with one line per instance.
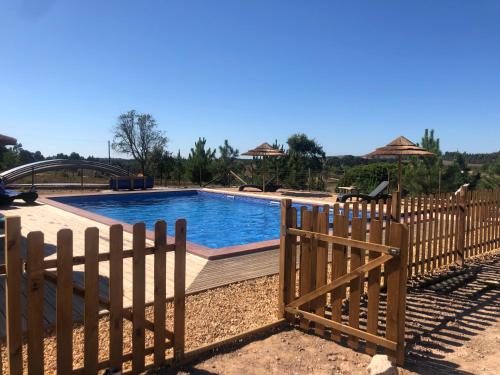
(340, 284)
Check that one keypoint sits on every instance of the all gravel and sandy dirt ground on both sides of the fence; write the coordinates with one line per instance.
(446, 332)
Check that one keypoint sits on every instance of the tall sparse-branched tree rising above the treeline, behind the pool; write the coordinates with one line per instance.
(138, 135)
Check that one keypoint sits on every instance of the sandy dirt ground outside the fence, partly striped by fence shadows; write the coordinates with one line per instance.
(457, 332)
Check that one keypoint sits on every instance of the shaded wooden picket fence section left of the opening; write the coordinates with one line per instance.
(38, 271)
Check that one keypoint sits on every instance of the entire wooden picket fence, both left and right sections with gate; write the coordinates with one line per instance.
(350, 283)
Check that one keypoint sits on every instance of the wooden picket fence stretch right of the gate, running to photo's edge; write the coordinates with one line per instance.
(449, 228)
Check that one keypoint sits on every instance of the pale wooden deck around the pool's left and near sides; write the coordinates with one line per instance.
(201, 274)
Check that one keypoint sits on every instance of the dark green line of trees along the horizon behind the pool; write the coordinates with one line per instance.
(304, 166)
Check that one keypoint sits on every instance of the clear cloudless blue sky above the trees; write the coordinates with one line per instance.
(352, 74)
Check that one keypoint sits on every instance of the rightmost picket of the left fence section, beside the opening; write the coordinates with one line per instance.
(179, 289)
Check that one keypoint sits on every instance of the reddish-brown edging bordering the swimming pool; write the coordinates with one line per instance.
(63, 202)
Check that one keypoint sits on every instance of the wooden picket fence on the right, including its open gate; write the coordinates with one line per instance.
(368, 249)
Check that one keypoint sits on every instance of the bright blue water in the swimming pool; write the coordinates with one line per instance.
(213, 220)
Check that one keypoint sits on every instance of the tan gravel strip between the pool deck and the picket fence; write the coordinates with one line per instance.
(210, 316)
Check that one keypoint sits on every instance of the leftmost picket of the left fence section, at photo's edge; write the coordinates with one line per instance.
(13, 294)
